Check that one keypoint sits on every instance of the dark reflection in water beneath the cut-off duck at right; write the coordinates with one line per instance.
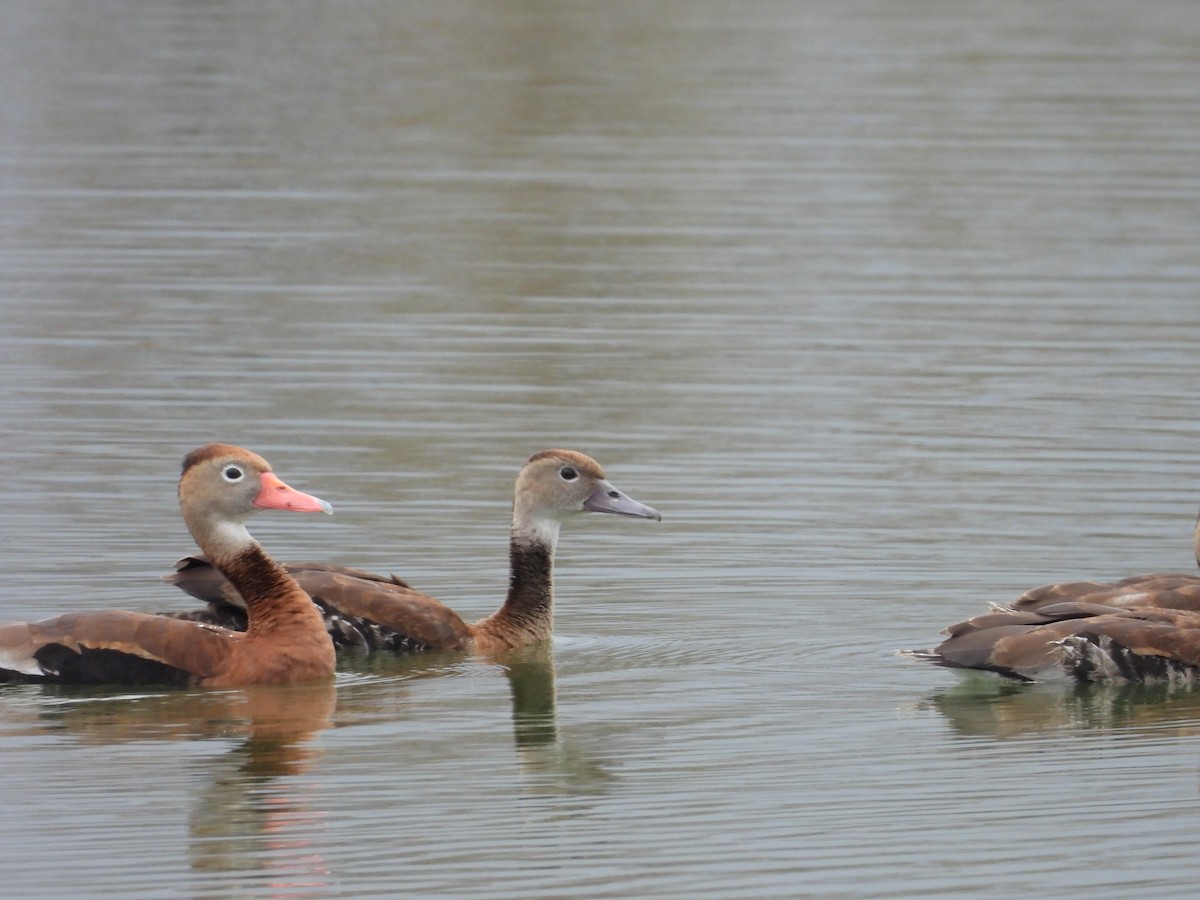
(998, 710)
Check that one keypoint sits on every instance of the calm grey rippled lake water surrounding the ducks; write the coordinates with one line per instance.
(892, 310)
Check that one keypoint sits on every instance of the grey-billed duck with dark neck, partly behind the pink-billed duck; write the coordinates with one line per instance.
(370, 611)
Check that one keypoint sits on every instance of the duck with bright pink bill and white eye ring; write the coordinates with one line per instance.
(286, 641)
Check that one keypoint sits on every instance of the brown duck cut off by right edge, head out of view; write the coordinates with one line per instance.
(1141, 629)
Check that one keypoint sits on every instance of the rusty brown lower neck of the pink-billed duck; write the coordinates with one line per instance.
(274, 601)
